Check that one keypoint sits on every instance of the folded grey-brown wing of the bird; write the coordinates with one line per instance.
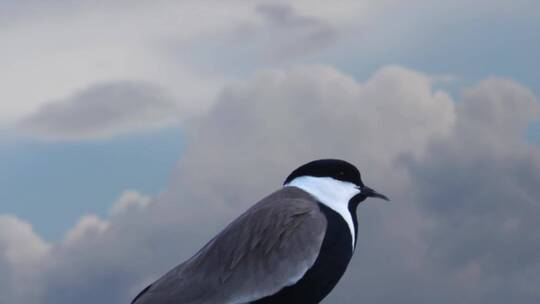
(269, 247)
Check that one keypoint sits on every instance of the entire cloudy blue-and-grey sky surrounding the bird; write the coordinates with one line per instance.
(131, 132)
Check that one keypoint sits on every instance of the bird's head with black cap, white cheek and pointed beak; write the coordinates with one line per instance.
(332, 177)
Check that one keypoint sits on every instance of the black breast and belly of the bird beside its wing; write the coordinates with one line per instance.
(320, 279)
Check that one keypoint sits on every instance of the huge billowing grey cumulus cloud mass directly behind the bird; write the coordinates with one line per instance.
(463, 182)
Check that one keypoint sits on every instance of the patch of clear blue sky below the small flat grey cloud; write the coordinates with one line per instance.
(52, 184)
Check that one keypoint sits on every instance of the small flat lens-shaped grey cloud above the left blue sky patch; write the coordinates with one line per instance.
(103, 110)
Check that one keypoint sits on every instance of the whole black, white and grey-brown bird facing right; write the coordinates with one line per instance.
(293, 246)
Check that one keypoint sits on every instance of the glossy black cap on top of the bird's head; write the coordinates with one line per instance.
(334, 168)
